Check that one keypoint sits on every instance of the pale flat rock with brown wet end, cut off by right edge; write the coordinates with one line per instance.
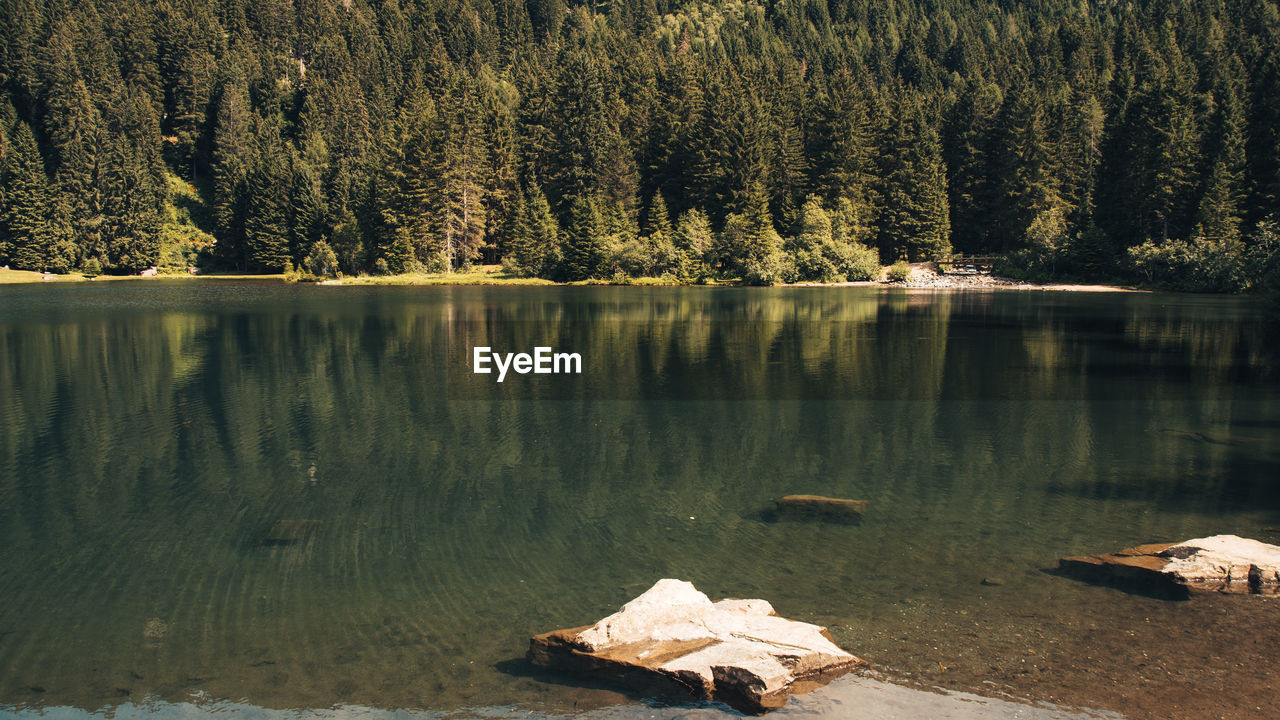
(1227, 564)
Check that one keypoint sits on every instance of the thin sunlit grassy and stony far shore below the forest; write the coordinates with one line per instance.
(924, 277)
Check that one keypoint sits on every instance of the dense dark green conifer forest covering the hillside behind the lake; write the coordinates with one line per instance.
(765, 142)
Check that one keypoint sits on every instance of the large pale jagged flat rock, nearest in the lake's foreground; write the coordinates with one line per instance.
(674, 639)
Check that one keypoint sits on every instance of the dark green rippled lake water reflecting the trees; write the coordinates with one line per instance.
(153, 435)
